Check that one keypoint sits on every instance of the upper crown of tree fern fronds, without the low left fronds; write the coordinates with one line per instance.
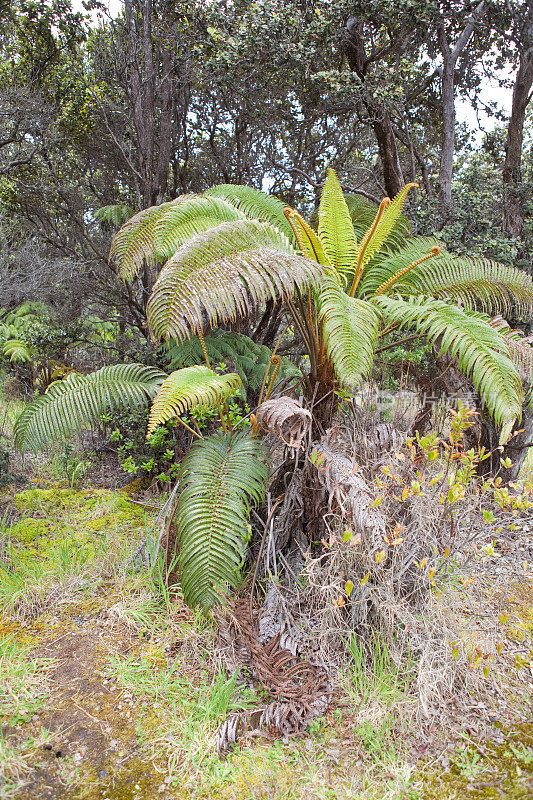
(346, 286)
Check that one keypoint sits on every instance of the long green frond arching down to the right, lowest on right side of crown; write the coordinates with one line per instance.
(482, 352)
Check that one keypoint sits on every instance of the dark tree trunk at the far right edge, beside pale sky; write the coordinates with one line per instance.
(513, 202)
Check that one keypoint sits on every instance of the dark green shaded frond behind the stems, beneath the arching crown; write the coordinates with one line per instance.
(249, 359)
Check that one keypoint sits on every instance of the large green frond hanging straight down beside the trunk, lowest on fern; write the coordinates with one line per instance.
(221, 476)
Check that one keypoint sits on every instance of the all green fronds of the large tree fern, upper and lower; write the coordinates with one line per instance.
(348, 285)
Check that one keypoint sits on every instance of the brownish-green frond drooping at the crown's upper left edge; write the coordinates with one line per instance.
(136, 243)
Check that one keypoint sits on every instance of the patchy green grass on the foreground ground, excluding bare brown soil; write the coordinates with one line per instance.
(66, 555)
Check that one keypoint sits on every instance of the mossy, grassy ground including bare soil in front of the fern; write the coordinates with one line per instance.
(111, 689)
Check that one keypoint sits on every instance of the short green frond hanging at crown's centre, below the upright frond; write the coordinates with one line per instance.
(350, 329)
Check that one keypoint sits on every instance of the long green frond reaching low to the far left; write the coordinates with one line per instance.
(79, 401)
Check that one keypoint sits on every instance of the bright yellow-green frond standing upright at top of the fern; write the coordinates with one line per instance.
(335, 227)
